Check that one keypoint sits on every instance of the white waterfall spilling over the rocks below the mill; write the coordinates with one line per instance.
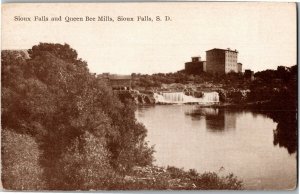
(180, 98)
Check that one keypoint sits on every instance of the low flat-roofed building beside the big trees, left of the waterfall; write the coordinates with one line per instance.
(117, 82)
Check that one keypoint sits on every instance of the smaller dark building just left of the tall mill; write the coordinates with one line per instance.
(196, 66)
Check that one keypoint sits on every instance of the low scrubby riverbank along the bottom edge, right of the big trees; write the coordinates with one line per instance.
(172, 178)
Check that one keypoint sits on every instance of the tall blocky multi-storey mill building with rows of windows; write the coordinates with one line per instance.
(222, 61)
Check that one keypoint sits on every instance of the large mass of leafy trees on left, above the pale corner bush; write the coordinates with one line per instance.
(53, 98)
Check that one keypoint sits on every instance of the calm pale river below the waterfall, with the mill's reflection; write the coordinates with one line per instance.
(219, 140)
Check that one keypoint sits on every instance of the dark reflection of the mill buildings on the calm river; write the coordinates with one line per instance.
(216, 119)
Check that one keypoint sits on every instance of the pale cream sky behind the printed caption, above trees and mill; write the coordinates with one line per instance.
(263, 33)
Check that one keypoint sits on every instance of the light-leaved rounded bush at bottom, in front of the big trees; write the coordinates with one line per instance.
(85, 164)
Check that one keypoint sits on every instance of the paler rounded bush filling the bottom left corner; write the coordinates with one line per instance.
(20, 162)
